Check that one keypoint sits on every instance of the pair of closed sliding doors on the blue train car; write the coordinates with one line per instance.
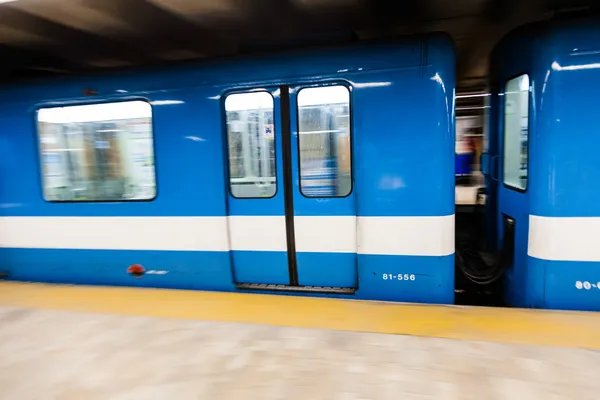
(287, 232)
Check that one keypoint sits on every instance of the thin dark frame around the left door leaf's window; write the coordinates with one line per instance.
(226, 141)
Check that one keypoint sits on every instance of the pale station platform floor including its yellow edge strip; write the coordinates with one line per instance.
(75, 342)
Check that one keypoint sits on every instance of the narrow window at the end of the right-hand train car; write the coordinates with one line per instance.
(516, 132)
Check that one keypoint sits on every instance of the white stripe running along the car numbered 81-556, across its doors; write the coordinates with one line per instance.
(418, 236)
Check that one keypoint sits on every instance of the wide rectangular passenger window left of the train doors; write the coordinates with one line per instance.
(97, 152)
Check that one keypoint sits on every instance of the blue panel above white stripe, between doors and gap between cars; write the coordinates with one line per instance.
(401, 143)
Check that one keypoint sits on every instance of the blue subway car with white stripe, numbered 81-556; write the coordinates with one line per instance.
(324, 172)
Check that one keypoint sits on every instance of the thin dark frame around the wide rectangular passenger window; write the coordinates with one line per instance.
(38, 146)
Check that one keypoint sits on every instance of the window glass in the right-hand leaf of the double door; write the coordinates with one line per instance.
(324, 141)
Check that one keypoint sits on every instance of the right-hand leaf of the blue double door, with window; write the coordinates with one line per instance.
(324, 206)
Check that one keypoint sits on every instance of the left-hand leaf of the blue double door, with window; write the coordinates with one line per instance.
(256, 198)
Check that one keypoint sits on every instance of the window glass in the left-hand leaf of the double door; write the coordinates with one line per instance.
(251, 142)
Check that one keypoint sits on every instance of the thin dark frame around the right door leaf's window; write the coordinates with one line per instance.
(349, 88)
